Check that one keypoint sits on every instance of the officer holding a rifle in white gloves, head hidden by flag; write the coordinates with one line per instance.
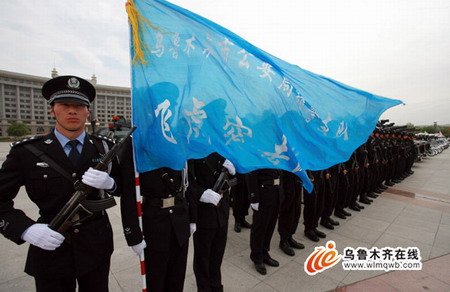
(212, 211)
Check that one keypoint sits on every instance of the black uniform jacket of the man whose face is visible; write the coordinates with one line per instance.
(91, 242)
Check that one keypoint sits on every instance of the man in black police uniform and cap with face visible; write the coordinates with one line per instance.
(58, 262)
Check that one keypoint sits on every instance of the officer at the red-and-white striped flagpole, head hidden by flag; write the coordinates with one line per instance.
(166, 221)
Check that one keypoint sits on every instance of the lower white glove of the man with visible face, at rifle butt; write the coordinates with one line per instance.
(42, 236)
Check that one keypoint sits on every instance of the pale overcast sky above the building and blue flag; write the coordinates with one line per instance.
(394, 48)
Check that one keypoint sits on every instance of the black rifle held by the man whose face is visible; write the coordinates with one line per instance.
(69, 214)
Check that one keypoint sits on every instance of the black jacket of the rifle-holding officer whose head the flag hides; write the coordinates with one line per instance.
(203, 174)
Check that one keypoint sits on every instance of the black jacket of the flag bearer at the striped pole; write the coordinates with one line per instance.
(159, 224)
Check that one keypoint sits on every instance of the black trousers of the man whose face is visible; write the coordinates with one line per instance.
(94, 281)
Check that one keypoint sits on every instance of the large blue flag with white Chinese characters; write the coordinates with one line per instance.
(204, 89)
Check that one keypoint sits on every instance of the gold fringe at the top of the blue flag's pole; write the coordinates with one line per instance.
(137, 20)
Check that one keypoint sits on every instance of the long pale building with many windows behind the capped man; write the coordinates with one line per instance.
(21, 100)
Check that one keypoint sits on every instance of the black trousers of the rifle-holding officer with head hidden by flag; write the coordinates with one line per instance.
(209, 248)
